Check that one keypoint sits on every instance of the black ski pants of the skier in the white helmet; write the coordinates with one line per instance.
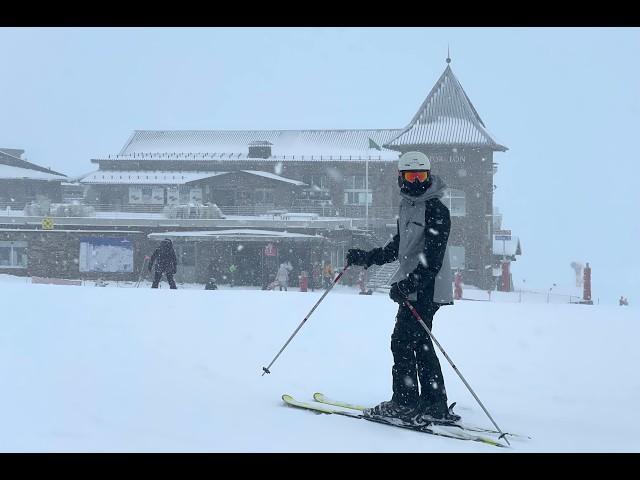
(415, 360)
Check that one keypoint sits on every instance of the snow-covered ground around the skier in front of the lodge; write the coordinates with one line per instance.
(89, 369)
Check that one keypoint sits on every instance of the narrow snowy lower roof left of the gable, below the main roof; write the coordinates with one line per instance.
(146, 177)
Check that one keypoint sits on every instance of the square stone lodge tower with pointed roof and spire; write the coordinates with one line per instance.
(449, 130)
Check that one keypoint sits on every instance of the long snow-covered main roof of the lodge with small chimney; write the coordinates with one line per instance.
(234, 144)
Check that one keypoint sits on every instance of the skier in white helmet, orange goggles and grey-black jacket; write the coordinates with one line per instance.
(424, 279)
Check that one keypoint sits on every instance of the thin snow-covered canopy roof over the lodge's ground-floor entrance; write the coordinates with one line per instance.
(234, 235)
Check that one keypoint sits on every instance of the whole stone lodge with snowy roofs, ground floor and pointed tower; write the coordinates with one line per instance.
(289, 188)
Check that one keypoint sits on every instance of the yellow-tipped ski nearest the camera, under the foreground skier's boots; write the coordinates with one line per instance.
(438, 430)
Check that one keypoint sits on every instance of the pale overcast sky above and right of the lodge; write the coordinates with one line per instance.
(566, 101)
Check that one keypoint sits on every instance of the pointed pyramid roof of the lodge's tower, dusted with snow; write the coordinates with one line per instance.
(446, 117)
